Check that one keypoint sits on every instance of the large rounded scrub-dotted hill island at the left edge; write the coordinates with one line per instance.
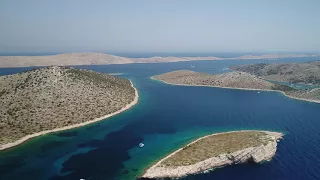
(55, 98)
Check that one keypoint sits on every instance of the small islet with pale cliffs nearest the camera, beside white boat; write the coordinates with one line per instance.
(216, 150)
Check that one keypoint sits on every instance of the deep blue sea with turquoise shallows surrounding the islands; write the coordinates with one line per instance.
(166, 118)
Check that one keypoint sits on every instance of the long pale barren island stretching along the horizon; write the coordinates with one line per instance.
(89, 58)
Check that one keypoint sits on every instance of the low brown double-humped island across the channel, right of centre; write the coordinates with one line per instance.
(235, 80)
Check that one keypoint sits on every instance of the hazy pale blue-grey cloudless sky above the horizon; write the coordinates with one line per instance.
(159, 26)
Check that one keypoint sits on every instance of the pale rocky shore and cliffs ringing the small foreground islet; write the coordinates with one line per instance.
(258, 154)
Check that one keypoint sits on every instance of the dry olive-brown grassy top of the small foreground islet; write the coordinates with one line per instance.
(212, 146)
